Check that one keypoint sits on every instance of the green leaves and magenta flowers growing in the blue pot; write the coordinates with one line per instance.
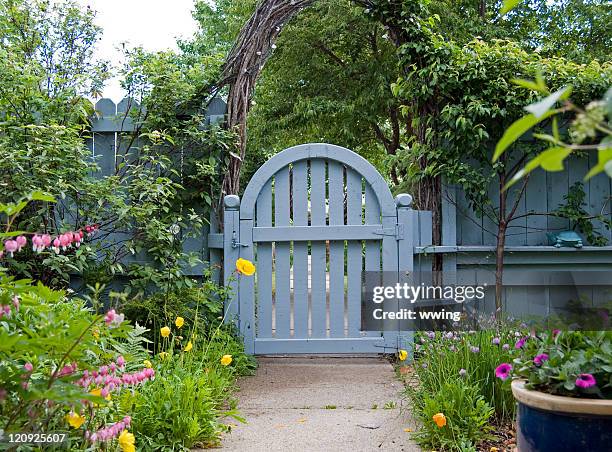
(568, 355)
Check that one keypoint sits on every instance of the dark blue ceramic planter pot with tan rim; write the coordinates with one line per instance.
(547, 422)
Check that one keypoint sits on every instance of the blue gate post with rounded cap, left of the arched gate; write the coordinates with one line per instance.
(231, 253)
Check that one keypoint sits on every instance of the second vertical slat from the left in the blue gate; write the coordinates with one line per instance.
(282, 299)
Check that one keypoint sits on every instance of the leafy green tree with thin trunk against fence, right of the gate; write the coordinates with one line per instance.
(458, 100)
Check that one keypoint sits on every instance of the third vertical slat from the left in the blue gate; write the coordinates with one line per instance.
(300, 251)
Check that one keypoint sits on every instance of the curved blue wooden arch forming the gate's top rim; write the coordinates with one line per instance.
(317, 151)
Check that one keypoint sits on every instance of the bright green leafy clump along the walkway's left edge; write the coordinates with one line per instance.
(192, 390)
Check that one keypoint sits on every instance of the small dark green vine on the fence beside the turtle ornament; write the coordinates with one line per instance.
(580, 219)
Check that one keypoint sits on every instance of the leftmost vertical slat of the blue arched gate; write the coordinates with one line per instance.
(264, 267)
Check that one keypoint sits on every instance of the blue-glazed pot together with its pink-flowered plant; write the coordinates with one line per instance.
(562, 382)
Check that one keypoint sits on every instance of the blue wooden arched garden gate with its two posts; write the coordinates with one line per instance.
(312, 218)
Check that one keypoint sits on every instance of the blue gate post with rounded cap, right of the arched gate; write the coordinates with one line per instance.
(406, 220)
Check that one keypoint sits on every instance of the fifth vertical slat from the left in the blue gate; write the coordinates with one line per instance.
(336, 251)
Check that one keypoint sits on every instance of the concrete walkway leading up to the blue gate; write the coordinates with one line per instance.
(321, 404)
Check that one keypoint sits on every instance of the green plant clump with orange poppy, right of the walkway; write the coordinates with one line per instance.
(464, 413)
